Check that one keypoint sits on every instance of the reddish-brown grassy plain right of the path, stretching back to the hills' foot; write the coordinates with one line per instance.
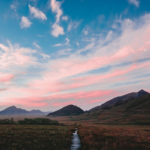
(97, 135)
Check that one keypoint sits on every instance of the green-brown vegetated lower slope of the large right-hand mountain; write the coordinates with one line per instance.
(133, 111)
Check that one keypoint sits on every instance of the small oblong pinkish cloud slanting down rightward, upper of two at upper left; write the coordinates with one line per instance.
(37, 13)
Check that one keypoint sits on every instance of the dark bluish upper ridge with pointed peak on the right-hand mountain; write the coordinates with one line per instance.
(120, 99)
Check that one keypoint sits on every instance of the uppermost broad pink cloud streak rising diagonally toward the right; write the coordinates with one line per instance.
(70, 68)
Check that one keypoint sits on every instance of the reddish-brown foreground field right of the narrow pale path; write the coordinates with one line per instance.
(114, 138)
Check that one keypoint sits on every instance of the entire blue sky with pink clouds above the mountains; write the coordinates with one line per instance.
(82, 52)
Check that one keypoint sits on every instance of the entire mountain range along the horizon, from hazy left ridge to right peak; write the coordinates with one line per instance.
(130, 107)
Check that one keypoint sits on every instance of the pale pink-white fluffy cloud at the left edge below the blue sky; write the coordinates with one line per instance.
(16, 56)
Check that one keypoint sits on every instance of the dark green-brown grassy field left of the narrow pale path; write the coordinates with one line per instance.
(35, 137)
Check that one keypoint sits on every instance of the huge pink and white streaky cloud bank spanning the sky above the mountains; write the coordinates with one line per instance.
(71, 77)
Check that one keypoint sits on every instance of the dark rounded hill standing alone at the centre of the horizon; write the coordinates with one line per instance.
(67, 110)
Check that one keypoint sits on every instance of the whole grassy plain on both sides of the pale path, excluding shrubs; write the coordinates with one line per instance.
(93, 135)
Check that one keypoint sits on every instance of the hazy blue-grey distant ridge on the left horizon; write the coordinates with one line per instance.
(13, 110)
